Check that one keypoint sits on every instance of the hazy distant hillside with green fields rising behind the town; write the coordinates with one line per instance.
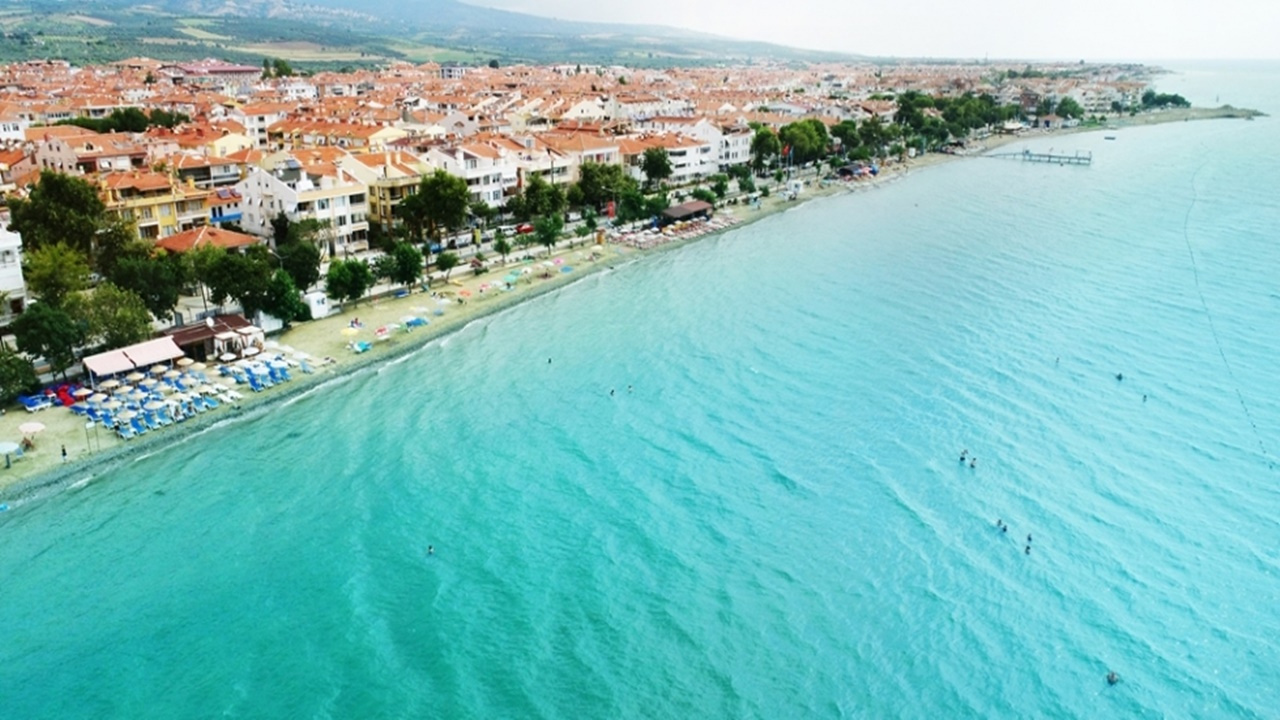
(333, 34)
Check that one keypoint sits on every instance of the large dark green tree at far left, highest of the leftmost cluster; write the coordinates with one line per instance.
(61, 209)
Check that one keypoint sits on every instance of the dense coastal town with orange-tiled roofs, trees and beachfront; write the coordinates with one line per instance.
(181, 239)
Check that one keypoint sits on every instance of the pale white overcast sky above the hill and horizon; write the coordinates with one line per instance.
(1068, 30)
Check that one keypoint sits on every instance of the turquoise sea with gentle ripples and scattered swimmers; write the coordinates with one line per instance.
(767, 517)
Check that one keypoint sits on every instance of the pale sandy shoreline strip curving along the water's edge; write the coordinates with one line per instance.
(42, 475)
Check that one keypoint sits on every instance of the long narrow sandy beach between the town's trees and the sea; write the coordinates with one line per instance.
(92, 450)
